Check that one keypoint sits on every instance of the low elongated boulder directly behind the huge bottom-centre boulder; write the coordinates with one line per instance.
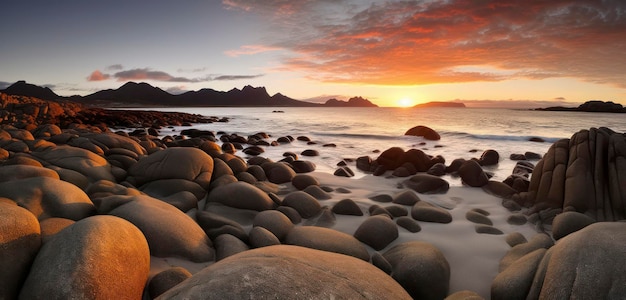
(326, 239)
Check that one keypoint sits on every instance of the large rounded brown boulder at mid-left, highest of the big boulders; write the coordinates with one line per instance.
(173, 163)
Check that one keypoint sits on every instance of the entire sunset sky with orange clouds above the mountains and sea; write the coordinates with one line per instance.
(395, 53)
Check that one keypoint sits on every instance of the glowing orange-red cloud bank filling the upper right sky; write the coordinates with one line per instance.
(422, 42)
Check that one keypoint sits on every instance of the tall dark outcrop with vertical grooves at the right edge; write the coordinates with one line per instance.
(586, 173)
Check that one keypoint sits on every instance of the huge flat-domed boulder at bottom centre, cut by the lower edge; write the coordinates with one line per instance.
(289, 272)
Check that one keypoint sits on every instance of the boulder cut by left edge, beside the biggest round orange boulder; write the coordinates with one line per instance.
(20, 240)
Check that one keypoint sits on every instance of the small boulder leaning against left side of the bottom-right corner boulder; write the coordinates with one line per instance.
(516, 280)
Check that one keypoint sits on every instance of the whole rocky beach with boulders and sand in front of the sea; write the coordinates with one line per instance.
(99, 204)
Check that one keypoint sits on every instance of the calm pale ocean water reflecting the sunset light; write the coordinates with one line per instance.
(465, 132)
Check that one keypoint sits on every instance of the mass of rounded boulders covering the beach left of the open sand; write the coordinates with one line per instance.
(93, 206)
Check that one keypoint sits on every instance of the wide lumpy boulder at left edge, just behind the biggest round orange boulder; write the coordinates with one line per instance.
(47, 197)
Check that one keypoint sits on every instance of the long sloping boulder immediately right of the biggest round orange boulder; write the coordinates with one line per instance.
(169, 231)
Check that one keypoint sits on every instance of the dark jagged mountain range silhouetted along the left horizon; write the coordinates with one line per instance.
(145, 95)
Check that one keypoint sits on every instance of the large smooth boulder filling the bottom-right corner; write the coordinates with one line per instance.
(576, 268)
